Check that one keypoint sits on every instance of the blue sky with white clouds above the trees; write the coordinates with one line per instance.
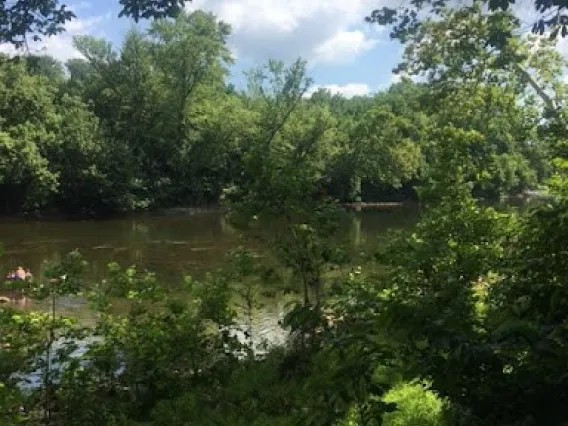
(345, 54)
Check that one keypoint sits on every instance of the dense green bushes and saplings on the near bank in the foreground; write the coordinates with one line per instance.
(478, 315)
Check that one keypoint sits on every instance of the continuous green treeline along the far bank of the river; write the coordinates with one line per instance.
(154, 123)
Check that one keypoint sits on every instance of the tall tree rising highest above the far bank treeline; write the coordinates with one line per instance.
(191, 58)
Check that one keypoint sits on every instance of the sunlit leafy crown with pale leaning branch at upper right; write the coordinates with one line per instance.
(468, 45)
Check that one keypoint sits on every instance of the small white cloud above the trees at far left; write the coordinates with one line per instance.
(60, 46)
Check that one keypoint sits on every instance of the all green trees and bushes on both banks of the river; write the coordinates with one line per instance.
(461, 320)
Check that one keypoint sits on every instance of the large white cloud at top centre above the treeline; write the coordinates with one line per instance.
(327, 31)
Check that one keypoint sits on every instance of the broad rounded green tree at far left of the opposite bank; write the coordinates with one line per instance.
(54, 149)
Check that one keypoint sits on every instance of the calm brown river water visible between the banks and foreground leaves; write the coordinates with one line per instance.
(190, 242)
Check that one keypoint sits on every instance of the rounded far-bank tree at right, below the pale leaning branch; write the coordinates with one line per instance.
(507, 158)
